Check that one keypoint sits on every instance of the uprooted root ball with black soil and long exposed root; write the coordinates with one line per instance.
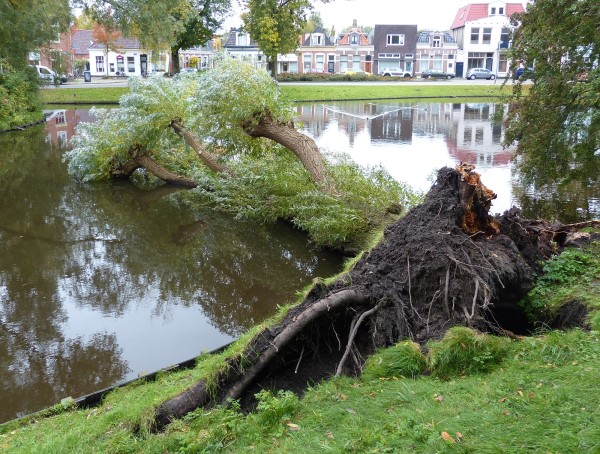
(446, 263)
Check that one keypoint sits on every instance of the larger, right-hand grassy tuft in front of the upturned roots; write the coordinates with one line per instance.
(465, 351)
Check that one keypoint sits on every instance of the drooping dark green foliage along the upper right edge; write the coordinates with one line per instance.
(557, 126)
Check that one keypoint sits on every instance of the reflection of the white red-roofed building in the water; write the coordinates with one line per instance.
(477, 140)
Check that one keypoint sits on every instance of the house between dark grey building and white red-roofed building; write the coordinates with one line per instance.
(436, 50)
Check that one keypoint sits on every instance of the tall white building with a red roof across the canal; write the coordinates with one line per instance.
(482, 31)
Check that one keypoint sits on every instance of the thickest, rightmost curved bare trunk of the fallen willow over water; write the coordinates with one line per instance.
(301, 145)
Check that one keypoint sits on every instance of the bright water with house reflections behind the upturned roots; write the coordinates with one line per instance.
(413, 139)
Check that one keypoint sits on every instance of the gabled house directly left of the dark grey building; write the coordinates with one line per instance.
(354, 51)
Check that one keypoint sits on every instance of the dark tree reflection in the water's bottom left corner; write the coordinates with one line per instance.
(41, 375)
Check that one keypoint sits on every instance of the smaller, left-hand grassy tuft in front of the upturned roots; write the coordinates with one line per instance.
(402, 360)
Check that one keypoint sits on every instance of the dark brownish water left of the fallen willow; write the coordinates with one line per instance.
(101, 283)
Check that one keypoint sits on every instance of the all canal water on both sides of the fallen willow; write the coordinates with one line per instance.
(101, 283)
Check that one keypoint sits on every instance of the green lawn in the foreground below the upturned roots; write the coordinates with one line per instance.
(539, 399)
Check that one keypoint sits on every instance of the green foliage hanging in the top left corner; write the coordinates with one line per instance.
(28, 25)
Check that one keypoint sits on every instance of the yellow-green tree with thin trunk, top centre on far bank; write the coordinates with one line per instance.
(275, 26)
